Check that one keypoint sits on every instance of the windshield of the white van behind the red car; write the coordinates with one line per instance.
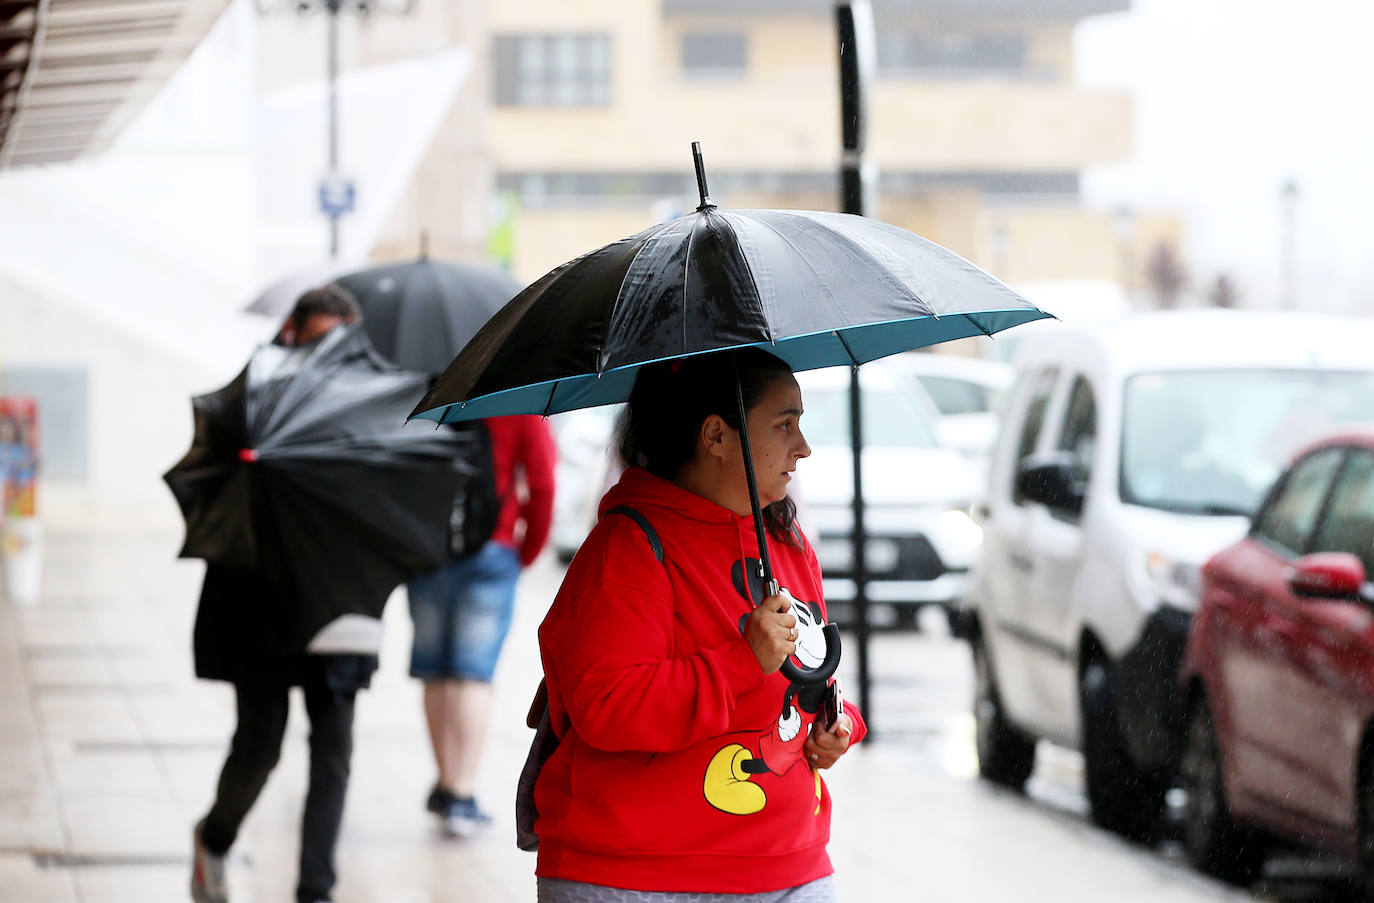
(1213, 442)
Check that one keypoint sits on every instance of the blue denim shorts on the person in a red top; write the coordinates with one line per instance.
(462, 614)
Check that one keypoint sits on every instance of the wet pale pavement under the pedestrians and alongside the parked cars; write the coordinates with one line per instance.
(111, 748)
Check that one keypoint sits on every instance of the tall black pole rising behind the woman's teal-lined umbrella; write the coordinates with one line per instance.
(857, 39)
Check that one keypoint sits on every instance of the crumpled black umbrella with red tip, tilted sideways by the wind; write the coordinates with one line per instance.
(300, 471)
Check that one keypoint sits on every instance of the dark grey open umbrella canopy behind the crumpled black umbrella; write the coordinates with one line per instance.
(420, 314)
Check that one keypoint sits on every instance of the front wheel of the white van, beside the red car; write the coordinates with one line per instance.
(1123, 799)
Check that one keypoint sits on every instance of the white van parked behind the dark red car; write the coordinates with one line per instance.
(1129, 454)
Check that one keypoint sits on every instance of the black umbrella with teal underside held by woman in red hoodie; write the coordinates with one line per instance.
(815, 289)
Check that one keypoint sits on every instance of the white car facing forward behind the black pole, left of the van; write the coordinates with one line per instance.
(921, 539)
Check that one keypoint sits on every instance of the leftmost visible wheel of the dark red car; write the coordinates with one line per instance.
(1215, 845)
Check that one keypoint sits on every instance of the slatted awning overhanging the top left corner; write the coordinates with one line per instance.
(75, 72)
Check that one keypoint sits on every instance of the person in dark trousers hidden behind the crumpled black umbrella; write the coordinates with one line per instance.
(237, 640)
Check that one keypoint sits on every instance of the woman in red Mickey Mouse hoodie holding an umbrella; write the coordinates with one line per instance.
(689, 763)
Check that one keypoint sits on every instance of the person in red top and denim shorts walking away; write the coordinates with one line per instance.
(462, 614)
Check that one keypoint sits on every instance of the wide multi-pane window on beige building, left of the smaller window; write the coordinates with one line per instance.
(552, 71)
